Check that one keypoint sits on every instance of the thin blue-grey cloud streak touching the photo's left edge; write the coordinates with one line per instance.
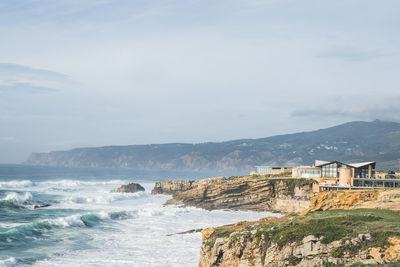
(15, 72)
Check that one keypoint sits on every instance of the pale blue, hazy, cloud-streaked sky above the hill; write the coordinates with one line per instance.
(94, 73)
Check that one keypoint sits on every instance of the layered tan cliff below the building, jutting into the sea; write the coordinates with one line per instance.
(240, 193)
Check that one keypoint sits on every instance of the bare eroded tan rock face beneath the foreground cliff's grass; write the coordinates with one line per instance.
(309, 252)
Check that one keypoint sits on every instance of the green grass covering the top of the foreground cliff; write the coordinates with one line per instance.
(328, 225)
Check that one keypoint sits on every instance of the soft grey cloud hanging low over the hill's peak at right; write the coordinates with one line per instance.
(361, 108)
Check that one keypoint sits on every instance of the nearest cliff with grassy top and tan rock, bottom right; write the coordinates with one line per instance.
(318, 238)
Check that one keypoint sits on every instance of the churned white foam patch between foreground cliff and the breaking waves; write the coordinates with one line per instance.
(143, 241)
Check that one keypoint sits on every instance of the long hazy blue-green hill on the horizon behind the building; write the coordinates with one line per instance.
(350, 142)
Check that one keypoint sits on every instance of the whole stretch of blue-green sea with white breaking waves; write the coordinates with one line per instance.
(53, 216)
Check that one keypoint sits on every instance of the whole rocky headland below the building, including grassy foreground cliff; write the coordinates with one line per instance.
(331, 228)
